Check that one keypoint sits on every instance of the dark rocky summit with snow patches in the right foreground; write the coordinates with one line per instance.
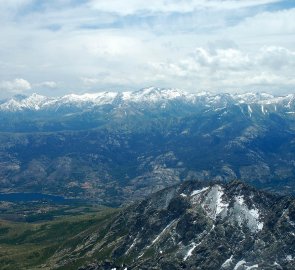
(192, 226)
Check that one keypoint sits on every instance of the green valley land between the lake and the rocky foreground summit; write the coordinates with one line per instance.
(29, 243)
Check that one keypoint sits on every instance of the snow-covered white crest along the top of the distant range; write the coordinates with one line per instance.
(150, 95)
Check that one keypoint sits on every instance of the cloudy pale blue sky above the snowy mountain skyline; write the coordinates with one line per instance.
(75, 46)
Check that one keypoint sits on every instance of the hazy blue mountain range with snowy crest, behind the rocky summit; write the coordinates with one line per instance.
(115, 147)
